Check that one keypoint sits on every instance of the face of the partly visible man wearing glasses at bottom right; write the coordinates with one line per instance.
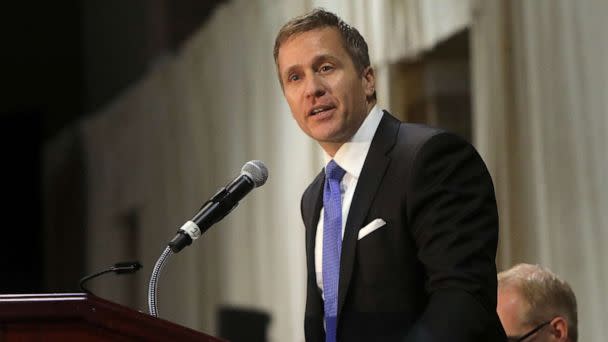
(511, 309)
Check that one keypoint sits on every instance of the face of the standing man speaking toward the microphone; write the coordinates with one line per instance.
(326, 94)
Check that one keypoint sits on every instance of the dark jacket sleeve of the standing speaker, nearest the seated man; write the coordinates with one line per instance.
(453, 218)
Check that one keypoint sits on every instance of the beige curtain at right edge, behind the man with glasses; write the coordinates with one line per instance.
(541, 108)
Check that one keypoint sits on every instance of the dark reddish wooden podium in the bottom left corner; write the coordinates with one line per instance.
(81, 317)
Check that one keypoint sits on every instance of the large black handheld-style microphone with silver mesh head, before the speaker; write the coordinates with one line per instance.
(253, 174)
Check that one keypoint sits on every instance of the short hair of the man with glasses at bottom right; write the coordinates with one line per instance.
(545, 293)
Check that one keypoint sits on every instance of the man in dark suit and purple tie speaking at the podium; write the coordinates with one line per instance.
(401, 234)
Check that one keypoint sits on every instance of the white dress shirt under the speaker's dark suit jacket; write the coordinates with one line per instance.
(350, 157)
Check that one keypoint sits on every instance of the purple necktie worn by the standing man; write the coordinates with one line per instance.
(332, 245)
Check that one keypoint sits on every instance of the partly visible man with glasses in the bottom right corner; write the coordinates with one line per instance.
(535, 305)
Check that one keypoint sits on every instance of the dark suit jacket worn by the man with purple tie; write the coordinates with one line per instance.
(429, 274)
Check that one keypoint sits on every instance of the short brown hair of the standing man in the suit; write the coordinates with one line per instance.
(318, 18)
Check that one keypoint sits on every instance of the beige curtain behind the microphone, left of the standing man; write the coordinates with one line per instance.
(171, 141)
